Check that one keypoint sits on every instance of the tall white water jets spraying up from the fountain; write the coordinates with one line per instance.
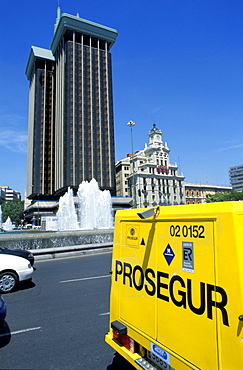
(94, 209)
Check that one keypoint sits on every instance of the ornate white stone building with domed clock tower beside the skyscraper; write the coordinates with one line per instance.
(149, 177)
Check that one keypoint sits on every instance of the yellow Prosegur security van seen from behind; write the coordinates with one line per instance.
(177, 284)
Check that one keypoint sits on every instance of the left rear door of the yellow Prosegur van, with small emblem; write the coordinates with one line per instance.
(138, 259)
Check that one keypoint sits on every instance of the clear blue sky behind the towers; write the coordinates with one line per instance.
(177, 63)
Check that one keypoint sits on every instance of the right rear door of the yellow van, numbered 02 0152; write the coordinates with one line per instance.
(183, 324)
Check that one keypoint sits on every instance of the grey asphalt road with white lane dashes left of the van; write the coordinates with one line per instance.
(59, 321)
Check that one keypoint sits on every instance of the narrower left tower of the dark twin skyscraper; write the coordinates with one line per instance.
(41, 135)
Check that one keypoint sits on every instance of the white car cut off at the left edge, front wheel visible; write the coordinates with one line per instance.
(13, 269)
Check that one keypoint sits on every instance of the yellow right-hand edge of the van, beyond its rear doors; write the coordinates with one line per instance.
(229, 270)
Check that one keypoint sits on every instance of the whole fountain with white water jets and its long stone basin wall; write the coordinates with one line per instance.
(93, 214)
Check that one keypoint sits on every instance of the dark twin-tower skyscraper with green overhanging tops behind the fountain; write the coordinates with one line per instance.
(71, 125)
